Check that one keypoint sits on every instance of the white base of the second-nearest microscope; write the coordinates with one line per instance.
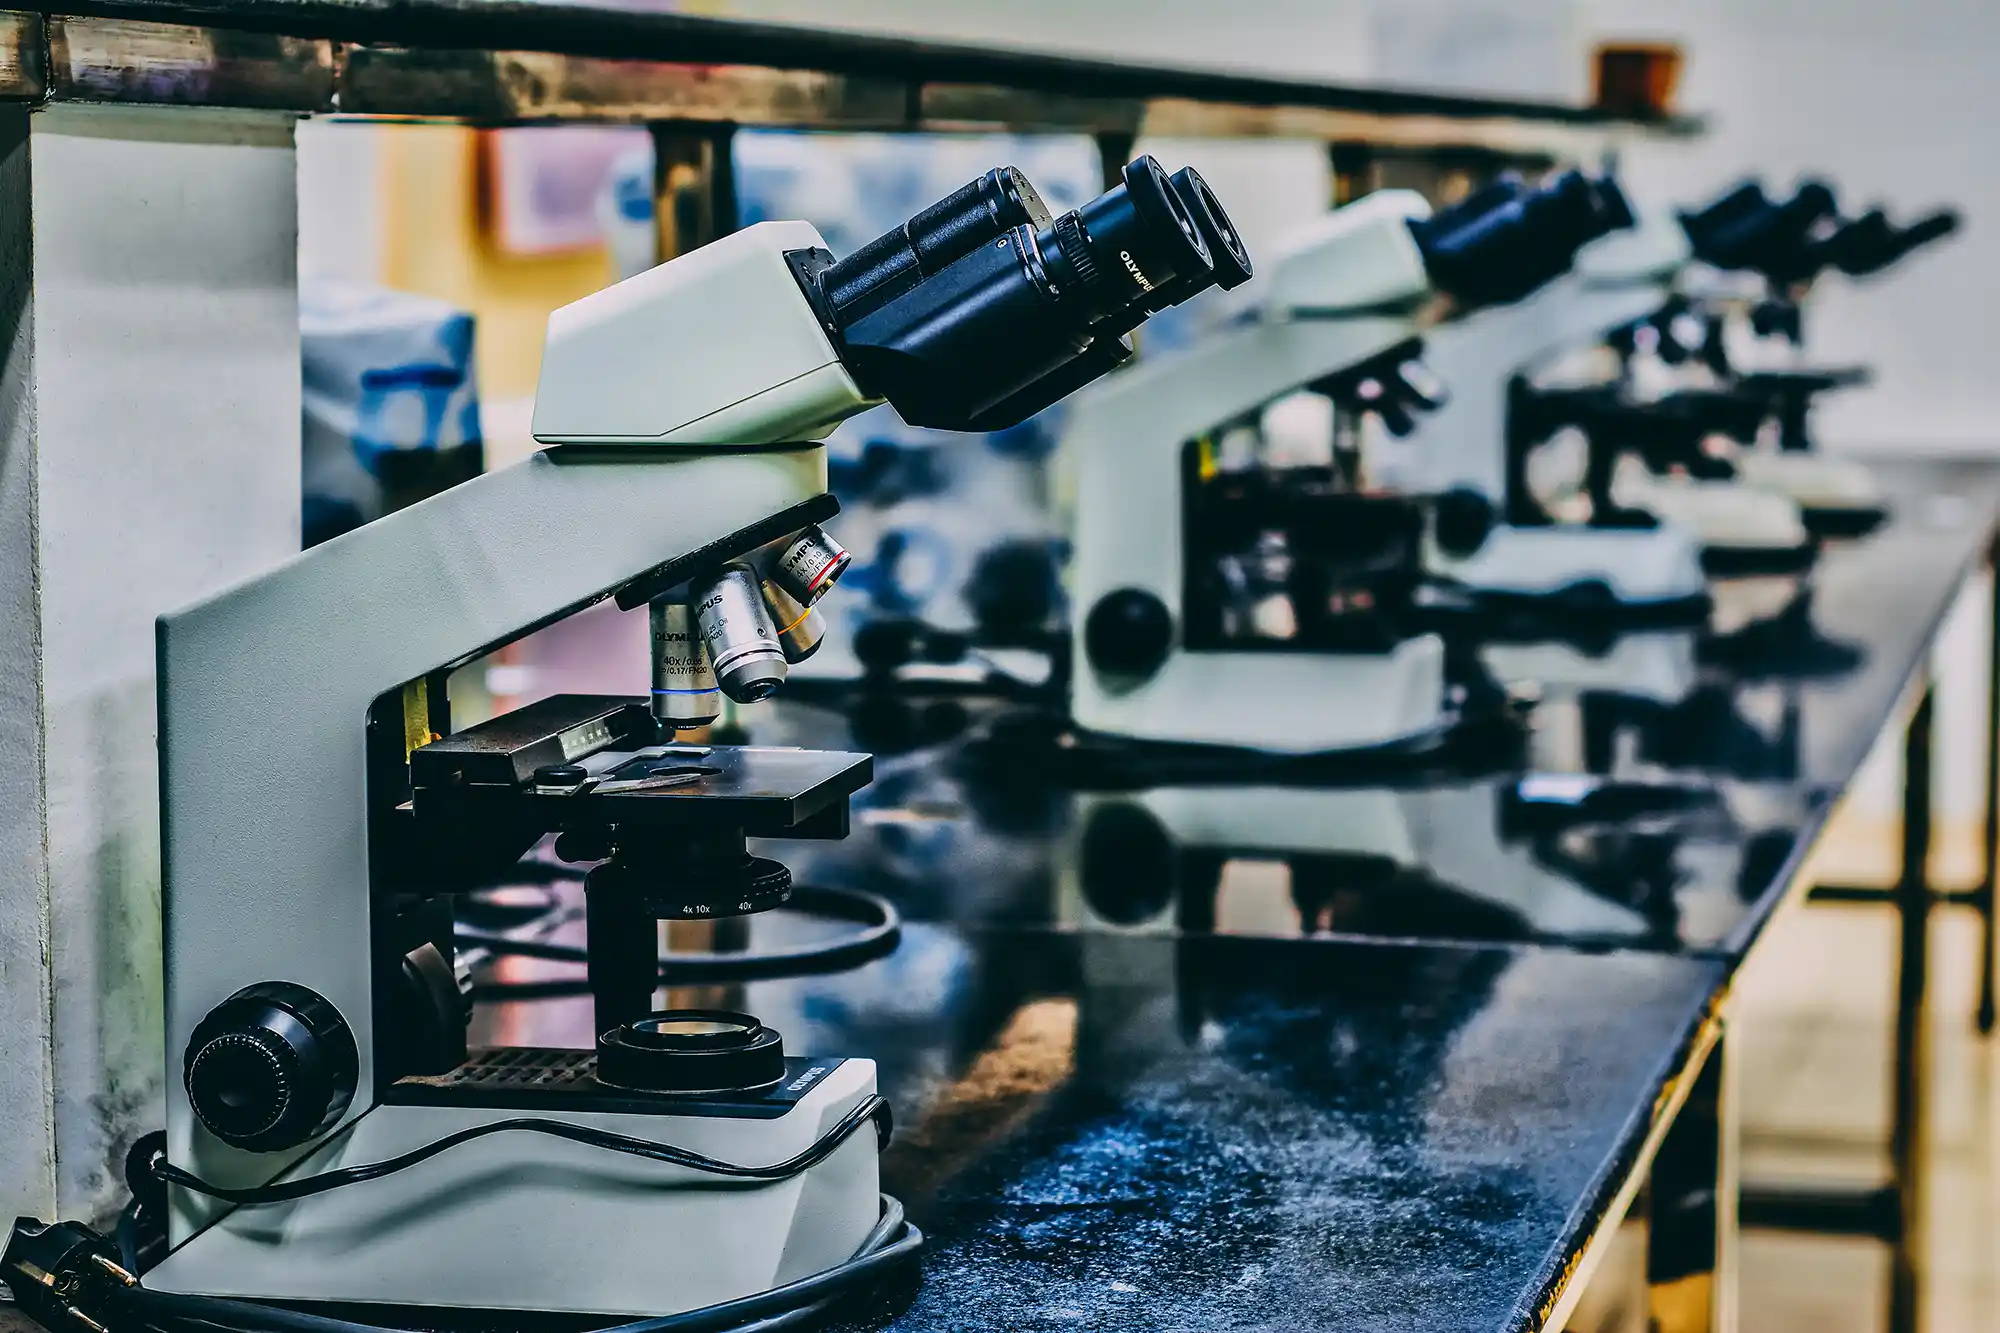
(1293, 704)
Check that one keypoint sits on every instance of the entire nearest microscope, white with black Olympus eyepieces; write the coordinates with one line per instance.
(331, 1138)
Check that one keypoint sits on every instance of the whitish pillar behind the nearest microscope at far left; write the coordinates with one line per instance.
(149, 455)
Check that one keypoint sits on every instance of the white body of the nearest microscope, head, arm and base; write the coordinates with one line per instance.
(643, 399)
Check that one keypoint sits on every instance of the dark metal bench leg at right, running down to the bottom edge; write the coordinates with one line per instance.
(1909, 1130)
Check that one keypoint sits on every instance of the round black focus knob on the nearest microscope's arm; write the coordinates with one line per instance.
(271, 1068)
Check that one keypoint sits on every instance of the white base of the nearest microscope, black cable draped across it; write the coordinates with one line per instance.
(523, 1222)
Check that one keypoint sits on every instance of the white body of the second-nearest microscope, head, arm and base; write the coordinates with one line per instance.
(1353, 289)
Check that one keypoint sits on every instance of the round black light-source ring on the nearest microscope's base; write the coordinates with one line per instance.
(693, 1052)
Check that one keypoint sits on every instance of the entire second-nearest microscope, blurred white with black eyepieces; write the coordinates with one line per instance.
(1179, 547)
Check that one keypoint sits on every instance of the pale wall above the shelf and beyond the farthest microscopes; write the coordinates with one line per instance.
(1889, 101)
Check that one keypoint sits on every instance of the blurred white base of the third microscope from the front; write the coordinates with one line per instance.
(1647, 571)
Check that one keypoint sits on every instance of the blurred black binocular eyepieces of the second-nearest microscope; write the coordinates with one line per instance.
(1509, 239)
